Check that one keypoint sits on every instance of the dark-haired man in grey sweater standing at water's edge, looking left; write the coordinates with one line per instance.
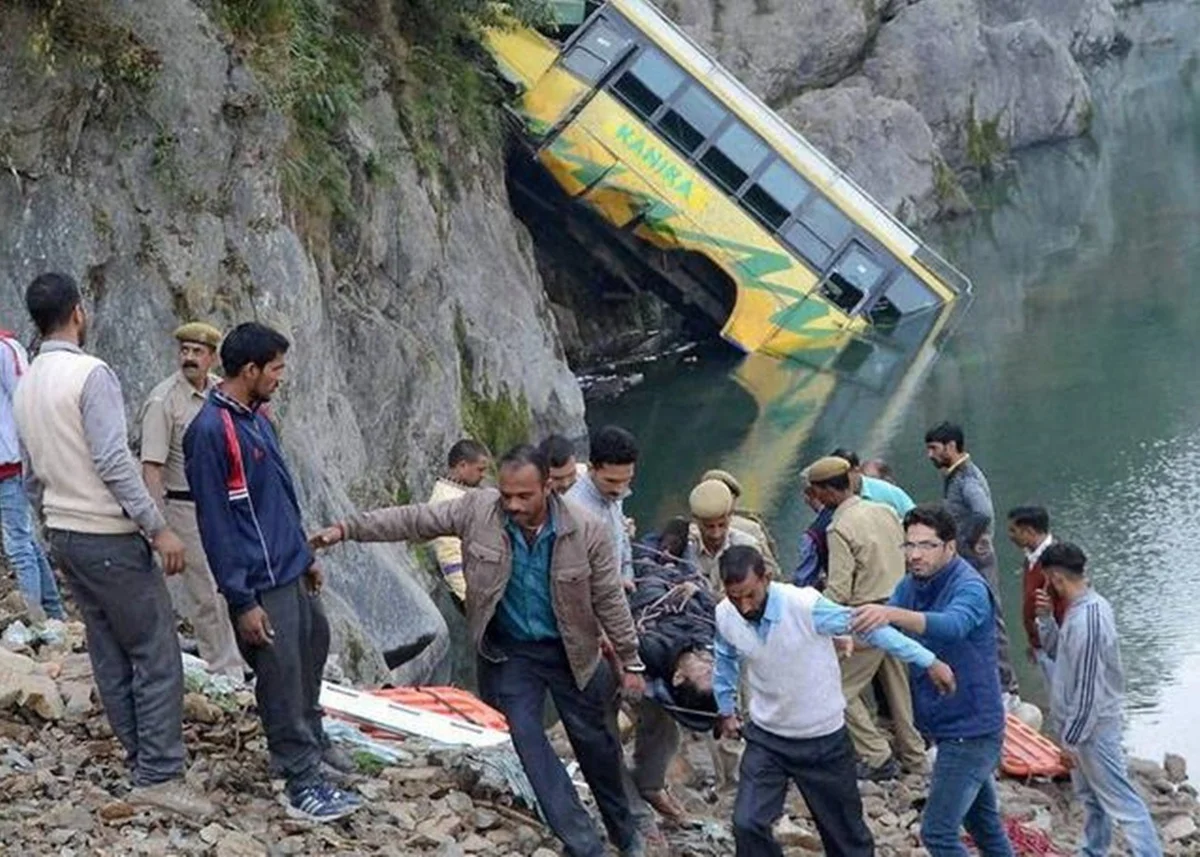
(969, 500)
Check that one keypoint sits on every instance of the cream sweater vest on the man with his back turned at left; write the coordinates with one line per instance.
(50, 419)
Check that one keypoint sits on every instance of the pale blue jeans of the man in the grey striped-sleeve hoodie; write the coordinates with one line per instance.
(1103, 787)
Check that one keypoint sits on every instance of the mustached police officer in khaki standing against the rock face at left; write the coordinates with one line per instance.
(166, 416)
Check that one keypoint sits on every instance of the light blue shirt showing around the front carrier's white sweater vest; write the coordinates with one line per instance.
(830, 620)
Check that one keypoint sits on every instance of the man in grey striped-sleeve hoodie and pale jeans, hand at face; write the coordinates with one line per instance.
(1087, 699)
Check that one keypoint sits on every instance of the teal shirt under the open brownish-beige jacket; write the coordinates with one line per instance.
(526, 610)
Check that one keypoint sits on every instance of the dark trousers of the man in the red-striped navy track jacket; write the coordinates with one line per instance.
(287, 682)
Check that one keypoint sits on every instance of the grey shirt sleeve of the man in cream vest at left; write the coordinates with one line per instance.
(104, 424)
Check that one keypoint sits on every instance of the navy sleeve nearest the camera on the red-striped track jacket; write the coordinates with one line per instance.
(207, 464)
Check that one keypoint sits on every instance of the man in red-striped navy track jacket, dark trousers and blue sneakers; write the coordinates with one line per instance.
(250, 524)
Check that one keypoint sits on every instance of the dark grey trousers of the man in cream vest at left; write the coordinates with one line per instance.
(133, 646)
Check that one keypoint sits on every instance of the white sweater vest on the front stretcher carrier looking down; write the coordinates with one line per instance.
(794, 678)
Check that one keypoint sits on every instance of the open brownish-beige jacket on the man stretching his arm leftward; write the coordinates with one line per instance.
(586, 588)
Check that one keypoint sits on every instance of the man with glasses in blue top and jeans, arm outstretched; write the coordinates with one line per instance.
(947, 607)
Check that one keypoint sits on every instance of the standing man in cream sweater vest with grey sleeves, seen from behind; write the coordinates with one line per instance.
(104, 528)
